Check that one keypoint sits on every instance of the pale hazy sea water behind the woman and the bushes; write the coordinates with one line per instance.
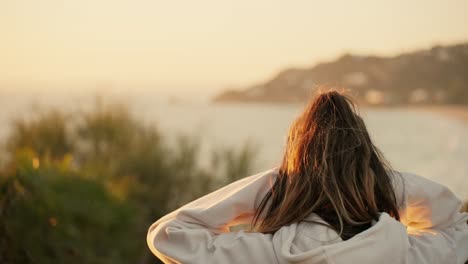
(421, 142)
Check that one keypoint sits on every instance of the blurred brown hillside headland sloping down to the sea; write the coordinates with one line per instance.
(435, 76)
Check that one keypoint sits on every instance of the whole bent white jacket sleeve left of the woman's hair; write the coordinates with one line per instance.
(197, 232)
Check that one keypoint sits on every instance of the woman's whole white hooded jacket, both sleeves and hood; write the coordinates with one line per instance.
(432, 230)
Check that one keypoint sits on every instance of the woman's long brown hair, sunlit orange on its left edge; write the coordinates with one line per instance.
(331, 168)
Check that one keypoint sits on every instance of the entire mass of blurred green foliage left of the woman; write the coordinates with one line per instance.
(84, 187)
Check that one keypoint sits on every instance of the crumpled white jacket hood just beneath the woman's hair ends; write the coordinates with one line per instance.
(309, 242)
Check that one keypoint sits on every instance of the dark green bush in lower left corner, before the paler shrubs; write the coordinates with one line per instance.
(51, 214)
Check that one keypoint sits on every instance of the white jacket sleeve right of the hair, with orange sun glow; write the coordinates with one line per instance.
(436, 228)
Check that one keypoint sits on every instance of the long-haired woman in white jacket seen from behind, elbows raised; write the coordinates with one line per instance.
(334, 199)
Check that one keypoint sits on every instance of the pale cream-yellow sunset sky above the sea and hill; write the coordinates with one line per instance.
(205, 45)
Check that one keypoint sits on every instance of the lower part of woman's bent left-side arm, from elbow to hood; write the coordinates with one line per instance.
(181, 242)
